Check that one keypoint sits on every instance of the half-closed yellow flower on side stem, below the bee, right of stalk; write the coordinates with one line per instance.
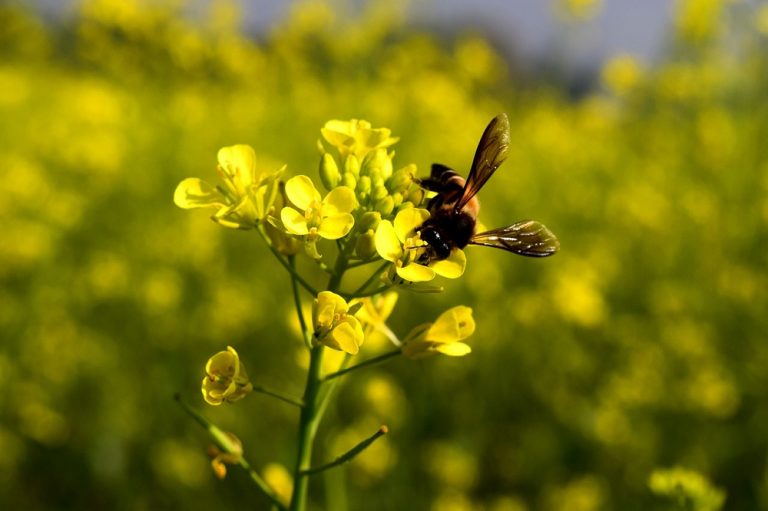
(442, 336)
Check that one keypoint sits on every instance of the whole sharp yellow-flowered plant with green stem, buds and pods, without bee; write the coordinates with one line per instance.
(372, 213)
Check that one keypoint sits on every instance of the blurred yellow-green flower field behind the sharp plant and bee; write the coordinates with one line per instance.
(641, 346)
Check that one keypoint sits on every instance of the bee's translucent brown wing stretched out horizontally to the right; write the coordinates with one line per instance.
(528, 238)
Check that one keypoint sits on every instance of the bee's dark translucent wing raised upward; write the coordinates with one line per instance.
(491, 153)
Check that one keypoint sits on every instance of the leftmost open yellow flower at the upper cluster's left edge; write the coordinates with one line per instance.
(246, 196)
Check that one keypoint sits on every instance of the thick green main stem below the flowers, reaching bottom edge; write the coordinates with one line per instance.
(308, 422)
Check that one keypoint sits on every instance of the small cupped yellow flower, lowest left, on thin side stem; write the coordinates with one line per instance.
(225, 379)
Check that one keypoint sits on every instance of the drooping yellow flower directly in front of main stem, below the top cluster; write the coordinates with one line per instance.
(334, 326)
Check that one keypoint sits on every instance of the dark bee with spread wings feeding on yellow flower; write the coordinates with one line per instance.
(455, 208)
